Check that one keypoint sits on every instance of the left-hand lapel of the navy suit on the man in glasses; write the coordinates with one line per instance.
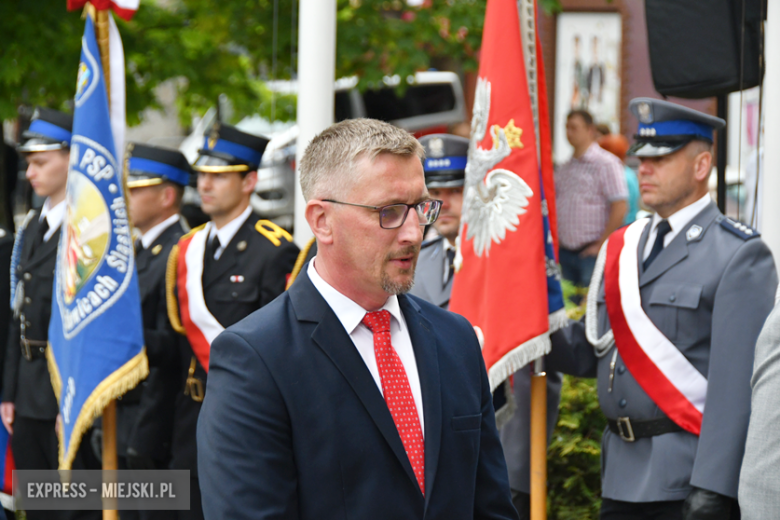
(330, 336)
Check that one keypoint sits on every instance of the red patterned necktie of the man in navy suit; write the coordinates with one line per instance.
(398, 393)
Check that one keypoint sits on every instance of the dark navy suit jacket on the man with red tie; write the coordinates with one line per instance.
(294, 427)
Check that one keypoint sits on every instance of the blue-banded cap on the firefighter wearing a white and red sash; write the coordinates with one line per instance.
(228, 149)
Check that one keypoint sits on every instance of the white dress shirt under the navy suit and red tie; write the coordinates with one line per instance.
(350, 314)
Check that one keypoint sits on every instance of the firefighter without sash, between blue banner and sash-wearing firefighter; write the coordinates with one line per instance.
(156, 178)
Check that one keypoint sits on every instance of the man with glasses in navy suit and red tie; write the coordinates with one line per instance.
(345, 398)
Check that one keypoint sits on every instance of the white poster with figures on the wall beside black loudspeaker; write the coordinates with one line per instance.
(587, 72)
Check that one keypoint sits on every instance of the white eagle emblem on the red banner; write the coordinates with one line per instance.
(493, 201)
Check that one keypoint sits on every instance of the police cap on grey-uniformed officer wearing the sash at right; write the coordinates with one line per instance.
(666, 127)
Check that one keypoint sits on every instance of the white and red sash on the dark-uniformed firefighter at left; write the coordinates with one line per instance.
(200, 325)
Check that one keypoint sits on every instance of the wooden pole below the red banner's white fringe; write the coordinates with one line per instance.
(539, 442)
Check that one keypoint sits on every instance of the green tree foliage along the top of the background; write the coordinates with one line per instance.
(229, 47)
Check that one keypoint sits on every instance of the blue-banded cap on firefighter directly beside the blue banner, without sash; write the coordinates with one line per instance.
(150, 165)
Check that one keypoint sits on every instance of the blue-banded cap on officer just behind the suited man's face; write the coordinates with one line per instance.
(445, 160)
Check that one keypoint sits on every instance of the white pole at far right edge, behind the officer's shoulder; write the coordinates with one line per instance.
(770, 213)
